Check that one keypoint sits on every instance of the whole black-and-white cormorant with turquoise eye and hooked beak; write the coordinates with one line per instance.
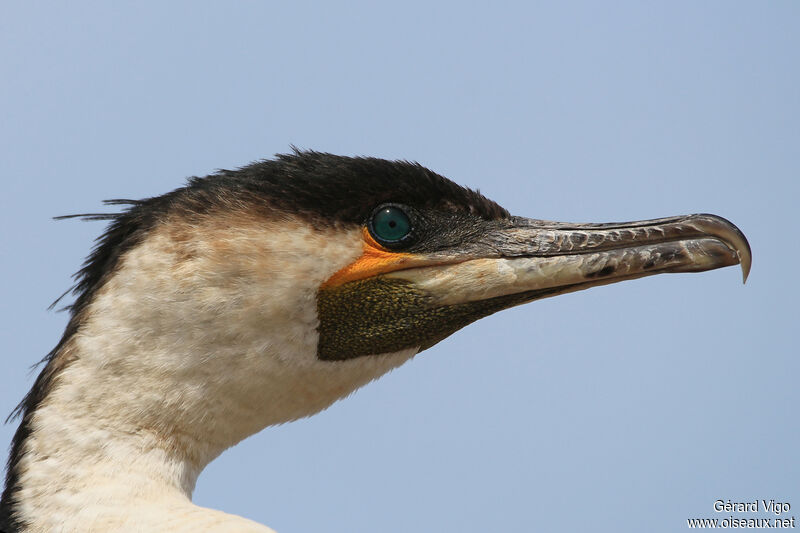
(261, 295)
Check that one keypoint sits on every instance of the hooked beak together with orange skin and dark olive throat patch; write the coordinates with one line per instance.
(386, 302)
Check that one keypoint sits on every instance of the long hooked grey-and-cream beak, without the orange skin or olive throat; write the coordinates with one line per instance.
(537, 259)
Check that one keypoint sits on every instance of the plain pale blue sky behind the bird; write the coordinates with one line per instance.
(623, 408)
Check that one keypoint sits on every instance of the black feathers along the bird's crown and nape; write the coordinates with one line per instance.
(325, 190)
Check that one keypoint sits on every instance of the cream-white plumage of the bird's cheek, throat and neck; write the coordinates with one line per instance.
(183, 352)
